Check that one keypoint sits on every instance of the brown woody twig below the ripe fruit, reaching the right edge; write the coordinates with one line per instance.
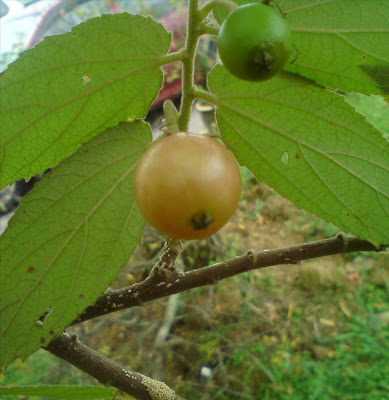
(164, 280)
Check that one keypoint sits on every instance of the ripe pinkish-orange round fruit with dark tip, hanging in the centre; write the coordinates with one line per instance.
(187, 185)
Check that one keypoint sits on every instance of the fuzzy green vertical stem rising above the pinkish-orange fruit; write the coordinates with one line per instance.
(192, 36)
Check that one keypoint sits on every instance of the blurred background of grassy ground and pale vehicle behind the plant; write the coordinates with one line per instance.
(315, 331)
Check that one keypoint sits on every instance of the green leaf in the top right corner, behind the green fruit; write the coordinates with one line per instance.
(341, 44)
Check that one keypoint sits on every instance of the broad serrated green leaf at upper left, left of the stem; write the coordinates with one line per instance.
(73, 86)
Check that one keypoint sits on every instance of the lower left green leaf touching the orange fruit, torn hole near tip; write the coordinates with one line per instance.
(68, 240)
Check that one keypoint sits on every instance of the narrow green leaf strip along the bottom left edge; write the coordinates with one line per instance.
(61, 392)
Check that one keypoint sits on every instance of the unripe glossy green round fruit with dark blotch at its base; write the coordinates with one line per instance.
(254, 42)
